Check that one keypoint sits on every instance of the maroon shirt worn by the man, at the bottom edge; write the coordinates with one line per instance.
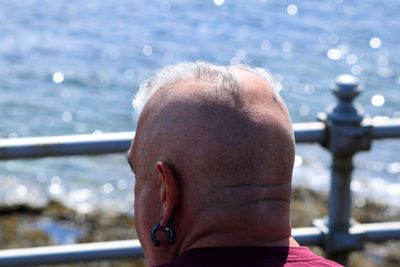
(250, 256)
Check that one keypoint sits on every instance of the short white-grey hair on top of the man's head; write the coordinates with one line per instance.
(189, 70)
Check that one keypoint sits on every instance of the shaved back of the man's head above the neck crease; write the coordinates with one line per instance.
(218, 129)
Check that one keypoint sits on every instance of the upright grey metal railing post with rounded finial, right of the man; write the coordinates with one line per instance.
(346, 135)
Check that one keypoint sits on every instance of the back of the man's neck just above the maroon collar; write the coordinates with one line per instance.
(255, 224)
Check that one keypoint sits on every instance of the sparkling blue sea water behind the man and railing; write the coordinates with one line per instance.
(72, 67)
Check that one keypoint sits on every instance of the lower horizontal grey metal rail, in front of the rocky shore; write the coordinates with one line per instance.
(131, 249)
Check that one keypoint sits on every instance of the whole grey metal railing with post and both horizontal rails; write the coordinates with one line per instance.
(343, 130)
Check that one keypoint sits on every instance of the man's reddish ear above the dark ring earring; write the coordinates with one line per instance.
(169, 191)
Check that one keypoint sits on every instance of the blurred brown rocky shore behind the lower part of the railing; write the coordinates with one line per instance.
(24, 226)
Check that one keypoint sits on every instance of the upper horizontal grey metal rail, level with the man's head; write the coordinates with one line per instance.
(106, 143)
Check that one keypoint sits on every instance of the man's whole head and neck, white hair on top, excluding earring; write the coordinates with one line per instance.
(213, 156)
